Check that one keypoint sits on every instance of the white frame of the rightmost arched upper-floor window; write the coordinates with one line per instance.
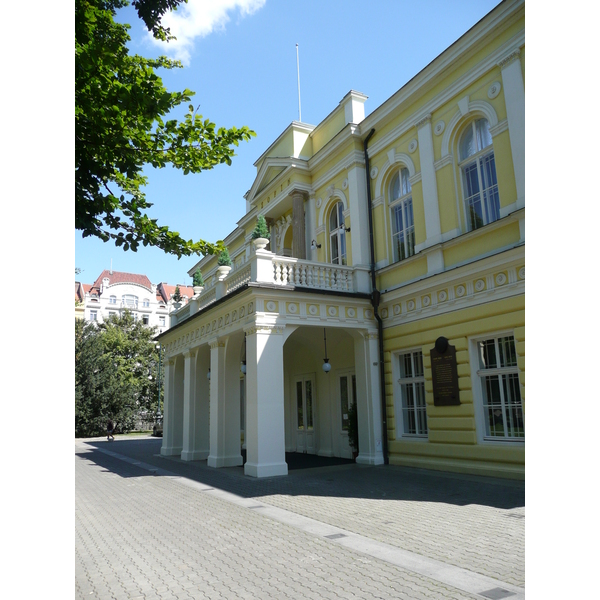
(477, 159)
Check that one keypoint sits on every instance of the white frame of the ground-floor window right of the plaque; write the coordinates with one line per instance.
(478, 393)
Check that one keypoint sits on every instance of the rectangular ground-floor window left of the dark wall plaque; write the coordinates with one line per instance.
(412, 392)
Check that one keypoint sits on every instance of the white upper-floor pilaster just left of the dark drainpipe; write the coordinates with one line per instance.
(359, 226)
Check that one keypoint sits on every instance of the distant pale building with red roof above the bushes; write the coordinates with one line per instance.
(115, 291)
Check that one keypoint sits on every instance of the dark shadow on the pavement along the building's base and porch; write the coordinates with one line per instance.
(315, 476)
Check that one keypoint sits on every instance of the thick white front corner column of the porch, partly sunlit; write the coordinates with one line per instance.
(265, 427)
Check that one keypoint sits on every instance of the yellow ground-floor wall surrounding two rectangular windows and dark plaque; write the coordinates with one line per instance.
(452, 443)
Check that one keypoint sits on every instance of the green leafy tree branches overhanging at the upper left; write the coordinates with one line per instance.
(121, 125)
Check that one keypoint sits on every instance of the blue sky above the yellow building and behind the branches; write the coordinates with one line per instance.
(244, 73)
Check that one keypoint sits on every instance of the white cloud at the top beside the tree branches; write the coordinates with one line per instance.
(199, 18)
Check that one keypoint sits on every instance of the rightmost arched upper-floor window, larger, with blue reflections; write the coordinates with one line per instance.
(478, 168)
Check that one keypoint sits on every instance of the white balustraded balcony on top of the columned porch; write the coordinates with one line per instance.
(271, 269)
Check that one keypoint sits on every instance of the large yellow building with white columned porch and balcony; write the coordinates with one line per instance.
(397, 253)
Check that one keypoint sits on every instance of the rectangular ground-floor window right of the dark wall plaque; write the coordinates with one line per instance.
(498, 375)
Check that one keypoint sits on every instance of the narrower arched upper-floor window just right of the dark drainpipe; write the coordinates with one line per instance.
(403, 224)
